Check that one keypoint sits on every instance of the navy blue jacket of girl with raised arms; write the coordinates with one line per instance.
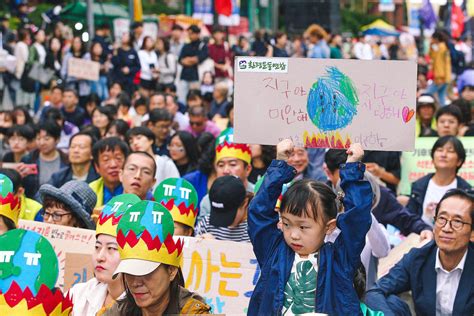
(335, 294)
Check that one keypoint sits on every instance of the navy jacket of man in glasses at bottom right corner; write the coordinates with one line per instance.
(416, 273)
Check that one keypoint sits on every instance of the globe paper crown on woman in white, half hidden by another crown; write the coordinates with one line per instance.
(112, 212)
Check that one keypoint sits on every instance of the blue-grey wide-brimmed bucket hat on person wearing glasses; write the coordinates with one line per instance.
(77, 195)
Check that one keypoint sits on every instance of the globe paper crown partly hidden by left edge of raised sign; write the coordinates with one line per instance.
(226, 148)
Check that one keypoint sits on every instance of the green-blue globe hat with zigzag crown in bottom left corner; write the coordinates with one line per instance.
(28, 274)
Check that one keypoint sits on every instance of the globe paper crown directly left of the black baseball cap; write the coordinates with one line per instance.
(180, 198)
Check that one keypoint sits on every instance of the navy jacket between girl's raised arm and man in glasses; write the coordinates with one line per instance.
(389, 211)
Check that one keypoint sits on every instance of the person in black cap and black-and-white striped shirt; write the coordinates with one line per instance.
(228, 217)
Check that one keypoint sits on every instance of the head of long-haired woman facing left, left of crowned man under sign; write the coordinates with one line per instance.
(184, 152)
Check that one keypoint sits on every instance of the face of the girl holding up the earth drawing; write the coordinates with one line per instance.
(303, 234)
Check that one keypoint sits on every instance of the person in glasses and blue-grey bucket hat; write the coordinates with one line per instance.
(70, 205)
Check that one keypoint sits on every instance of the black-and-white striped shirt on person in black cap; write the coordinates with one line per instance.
(238, 233)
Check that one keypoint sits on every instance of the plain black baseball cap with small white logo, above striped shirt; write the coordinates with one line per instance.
(226, 195)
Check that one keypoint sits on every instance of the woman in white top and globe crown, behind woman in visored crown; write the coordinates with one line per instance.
(99, 293)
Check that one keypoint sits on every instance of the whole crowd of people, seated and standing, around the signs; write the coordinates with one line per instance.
(153, 136)
